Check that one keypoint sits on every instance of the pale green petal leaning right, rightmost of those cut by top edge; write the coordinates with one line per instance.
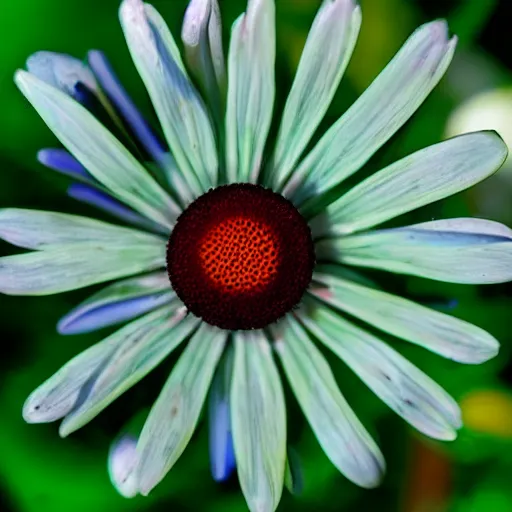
(328, 49)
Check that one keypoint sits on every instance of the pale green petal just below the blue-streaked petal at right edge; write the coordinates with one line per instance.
(438, 332)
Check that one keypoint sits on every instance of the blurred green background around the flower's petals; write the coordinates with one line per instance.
(39, 472)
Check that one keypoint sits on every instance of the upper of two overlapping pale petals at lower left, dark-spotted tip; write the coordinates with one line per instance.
(56, 397)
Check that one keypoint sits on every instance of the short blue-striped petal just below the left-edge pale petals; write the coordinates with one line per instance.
(118, 303)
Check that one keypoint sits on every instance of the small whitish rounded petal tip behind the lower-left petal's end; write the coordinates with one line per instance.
(122, 459)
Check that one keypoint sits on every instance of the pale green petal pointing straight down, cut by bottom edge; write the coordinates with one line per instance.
(258, 420)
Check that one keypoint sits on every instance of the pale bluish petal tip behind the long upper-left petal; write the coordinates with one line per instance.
(62, 71)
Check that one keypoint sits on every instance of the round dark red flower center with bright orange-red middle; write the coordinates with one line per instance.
(240, 257)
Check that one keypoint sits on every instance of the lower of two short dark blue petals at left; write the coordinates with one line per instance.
(105, 202)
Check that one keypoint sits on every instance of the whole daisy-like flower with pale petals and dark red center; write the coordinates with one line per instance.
(238, 245)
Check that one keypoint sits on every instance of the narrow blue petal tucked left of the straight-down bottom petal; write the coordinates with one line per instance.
(222, 457)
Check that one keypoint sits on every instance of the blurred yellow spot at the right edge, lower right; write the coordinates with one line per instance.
(488, 411)
